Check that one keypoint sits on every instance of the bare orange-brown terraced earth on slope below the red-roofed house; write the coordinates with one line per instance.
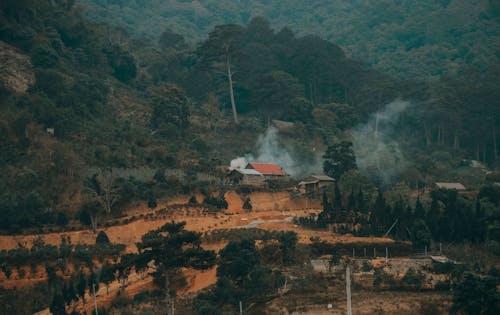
(270, 211)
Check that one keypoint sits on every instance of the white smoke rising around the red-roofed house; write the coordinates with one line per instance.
(268, 149)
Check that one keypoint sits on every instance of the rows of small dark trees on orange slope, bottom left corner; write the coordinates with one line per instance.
(70, 269)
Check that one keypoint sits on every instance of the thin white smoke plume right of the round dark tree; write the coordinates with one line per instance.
(378, 154)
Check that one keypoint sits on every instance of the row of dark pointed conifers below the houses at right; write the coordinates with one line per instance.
(449, 217)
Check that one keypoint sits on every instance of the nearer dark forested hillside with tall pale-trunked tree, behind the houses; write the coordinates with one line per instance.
(86, 95)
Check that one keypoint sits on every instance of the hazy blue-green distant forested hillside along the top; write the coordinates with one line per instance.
(404, 38)
